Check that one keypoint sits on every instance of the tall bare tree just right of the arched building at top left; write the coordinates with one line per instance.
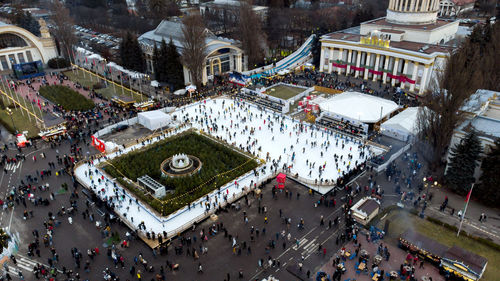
(63, 30)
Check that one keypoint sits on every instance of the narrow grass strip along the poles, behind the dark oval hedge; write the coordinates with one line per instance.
(107, 92)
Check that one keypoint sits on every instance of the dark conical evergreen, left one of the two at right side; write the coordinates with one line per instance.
(463, 162)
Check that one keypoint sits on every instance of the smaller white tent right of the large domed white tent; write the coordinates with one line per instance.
(401, 126)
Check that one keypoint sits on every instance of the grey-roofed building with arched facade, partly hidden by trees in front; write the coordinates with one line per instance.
(223, 54)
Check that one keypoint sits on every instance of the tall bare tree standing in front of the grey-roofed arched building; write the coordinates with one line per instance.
(194, 48)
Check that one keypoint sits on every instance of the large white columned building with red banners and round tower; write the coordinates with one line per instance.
(407, 48)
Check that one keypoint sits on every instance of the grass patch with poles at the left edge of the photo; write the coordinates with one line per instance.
(21, 123)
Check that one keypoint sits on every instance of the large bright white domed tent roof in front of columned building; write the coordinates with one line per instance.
(357, 106)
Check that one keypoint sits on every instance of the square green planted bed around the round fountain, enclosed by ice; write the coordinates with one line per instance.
(220, 165)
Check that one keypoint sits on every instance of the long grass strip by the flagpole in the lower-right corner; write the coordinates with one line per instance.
(402, 221)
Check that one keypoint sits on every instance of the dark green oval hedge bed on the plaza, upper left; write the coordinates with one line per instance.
(68, 98)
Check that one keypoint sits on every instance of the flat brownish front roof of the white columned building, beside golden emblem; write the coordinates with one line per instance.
(404, 45)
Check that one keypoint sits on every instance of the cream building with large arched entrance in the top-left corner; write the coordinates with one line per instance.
(17, 45)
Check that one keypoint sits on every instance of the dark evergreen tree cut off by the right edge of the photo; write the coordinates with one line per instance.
(487, 190)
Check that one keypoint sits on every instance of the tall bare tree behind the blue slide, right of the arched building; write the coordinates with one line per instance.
(250, 33)
